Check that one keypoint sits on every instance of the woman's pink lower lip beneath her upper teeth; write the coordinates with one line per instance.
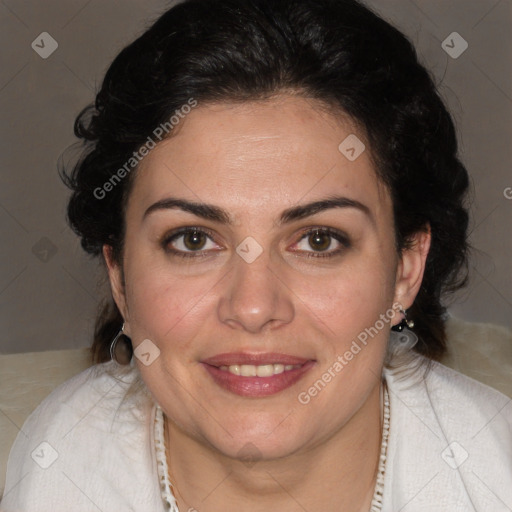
(257, 386)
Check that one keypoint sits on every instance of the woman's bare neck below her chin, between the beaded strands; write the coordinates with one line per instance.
(338, 473)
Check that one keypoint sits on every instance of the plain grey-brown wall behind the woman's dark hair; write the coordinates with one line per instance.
(49, 288)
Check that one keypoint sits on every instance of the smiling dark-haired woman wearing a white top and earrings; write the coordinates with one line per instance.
(275, 190)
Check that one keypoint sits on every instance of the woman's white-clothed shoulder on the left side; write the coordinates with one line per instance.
(89, 440)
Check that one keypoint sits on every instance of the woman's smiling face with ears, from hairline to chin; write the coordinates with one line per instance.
(273, 275)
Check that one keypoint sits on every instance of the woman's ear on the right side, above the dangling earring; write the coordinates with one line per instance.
(411, 268)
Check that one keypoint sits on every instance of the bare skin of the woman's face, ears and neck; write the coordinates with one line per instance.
(254, 160)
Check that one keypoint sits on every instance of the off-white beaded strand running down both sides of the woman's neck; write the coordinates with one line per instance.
(163, 469)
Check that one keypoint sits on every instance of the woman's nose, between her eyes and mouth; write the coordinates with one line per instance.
(255, 296)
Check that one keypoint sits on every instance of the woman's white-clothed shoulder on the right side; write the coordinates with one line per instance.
(450, 441)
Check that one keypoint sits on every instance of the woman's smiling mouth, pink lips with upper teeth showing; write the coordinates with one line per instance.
(256, 375)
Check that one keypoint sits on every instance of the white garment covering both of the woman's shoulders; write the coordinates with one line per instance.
(90, 446)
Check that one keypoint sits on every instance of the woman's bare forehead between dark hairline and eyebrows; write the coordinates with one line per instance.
(266, 155)
